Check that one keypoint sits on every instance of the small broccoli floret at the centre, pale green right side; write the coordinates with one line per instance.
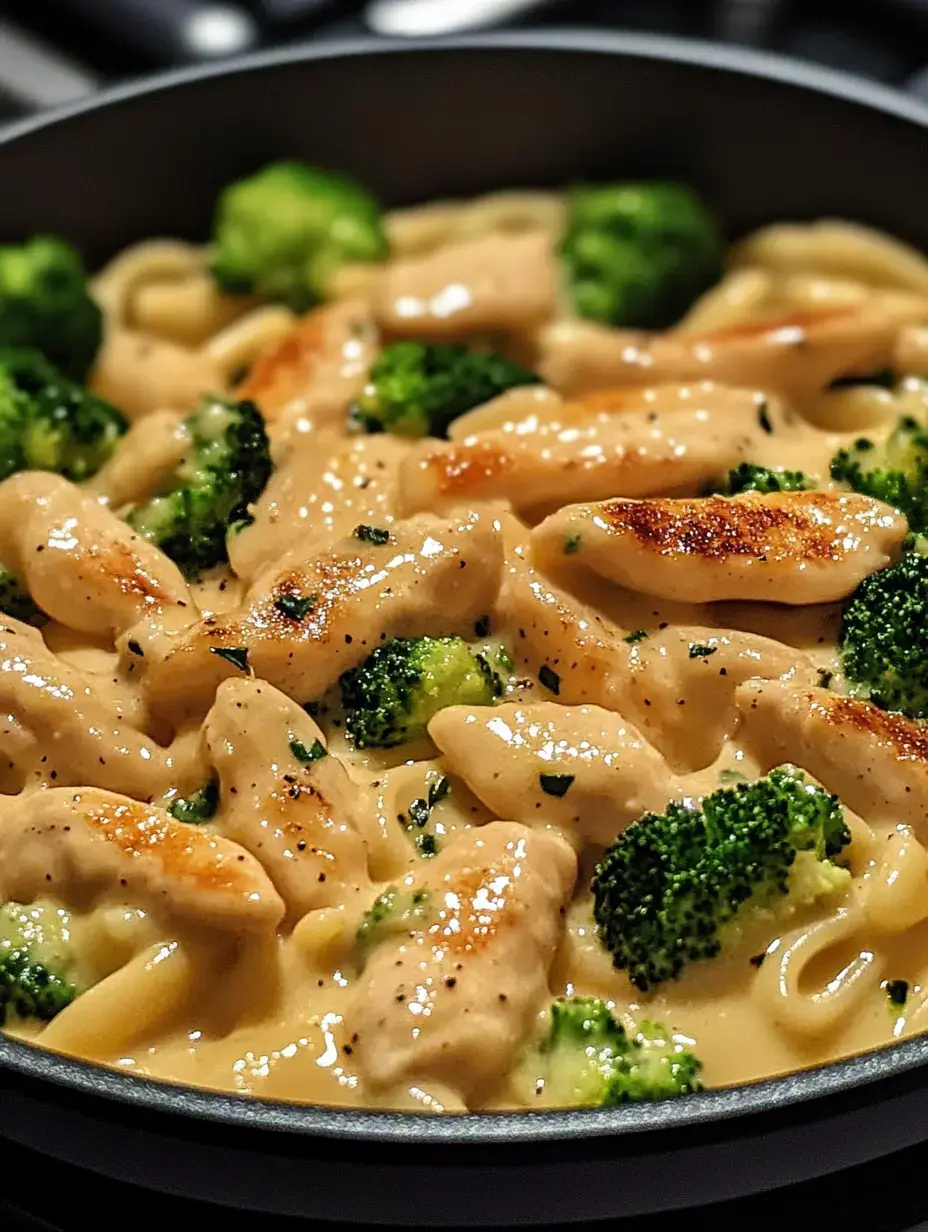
(391, 697)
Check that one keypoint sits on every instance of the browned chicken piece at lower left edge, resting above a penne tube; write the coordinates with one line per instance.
(83, 843)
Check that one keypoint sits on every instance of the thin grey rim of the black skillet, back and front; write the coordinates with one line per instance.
(823, 1084)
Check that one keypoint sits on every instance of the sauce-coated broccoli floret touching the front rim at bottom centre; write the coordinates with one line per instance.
(590, 1061)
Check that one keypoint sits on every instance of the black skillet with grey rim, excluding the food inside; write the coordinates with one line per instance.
(767, 140)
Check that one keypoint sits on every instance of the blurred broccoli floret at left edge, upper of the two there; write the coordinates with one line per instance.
(45, 304)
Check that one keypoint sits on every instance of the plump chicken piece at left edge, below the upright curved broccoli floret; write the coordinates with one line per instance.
(79, 561)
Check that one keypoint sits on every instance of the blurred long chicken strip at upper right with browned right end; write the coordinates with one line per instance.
(796, 357)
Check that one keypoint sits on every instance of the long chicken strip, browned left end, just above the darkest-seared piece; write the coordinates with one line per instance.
(571, 453)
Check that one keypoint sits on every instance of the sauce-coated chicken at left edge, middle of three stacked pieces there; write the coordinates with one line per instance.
(60, 725)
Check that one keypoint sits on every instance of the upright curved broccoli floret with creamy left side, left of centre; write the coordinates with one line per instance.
(226, 469)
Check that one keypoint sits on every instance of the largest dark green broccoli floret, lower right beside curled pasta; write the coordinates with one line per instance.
(674, 884)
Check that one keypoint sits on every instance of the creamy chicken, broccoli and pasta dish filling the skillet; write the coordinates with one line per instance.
(465, 657)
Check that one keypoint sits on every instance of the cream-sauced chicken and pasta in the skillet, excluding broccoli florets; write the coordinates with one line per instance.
(225, 949)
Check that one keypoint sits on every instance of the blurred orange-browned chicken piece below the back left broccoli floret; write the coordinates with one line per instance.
(322, 365)
